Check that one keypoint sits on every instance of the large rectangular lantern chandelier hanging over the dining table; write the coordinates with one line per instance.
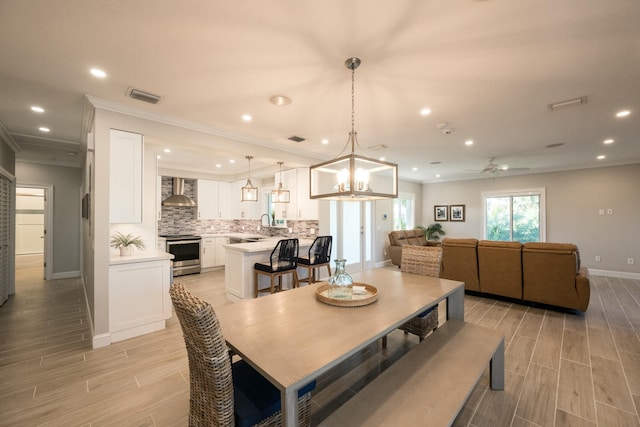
(353, 177)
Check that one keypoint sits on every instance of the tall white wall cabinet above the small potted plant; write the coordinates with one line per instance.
(125, 177)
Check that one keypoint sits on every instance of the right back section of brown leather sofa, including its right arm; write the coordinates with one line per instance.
(552, 275)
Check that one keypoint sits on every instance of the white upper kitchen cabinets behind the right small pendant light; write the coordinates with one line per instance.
(301, 207)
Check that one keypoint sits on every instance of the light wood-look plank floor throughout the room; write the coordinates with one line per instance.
(561, 369)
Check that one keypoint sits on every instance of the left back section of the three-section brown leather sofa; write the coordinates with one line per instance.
(460, 262)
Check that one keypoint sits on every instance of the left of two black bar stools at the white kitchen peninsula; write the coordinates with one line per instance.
(283, 260)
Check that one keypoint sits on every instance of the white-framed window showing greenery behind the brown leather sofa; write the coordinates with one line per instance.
(517, 216)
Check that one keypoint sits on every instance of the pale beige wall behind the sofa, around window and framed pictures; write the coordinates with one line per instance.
(573, 201)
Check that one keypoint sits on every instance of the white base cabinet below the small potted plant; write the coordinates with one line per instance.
(139, 300)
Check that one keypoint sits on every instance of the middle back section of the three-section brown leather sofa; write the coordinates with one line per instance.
(500, 268)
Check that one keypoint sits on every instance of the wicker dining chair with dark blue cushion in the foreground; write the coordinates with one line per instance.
(222, 393)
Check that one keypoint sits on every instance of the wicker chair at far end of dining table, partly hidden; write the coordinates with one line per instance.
(424, 260)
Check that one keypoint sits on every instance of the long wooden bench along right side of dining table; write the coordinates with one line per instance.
(430, 384)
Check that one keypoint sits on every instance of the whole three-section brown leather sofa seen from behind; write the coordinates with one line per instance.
(548, 273)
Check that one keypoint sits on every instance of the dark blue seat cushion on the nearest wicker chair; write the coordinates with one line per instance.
(255, 398)
